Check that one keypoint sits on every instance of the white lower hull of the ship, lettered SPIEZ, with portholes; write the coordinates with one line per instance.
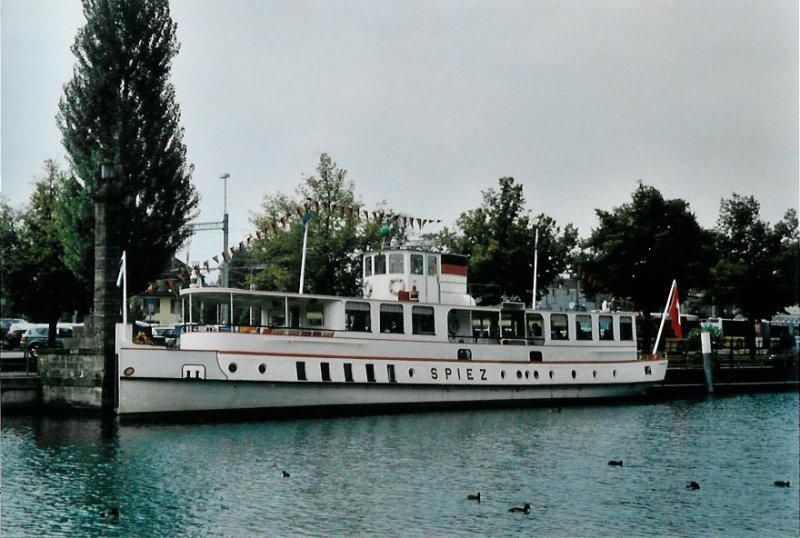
(173, 382)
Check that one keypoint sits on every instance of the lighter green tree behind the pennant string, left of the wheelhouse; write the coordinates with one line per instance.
(337, 236)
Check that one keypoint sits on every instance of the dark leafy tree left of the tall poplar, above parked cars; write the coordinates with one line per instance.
(34, 276)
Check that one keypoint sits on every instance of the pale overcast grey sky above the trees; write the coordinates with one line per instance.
(428, 103)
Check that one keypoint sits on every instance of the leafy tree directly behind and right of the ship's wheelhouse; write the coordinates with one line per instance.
(499, 239)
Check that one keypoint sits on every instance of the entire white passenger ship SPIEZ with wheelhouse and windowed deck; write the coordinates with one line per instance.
(414, 339)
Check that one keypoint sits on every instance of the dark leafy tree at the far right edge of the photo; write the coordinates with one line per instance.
(756, 270)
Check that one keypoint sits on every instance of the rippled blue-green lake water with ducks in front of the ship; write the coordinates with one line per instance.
(409, 475)
